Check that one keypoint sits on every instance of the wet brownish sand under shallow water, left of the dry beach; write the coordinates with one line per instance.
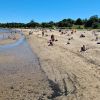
(21, 76)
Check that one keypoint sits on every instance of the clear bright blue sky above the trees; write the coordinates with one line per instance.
(47, 10)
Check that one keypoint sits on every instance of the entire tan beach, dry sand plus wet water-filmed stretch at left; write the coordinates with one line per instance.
(36, 71)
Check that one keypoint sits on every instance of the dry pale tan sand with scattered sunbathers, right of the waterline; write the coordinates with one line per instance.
(76, 74)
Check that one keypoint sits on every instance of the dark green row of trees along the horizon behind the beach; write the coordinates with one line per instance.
(93, 22)
